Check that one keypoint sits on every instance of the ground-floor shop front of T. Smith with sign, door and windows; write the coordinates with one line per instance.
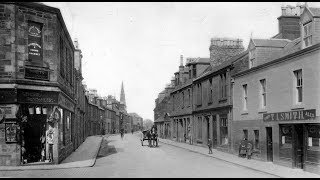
(297, 143)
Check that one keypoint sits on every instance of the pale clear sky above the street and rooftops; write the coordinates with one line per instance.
(140, 43)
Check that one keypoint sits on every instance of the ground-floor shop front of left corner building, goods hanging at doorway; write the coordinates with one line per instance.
(31, 122)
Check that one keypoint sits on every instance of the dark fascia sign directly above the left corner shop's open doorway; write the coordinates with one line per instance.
(37, 97)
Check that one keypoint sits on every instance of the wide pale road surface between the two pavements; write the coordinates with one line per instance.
(127, 158)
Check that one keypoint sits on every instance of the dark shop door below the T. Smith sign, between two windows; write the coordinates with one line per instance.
(298, 146)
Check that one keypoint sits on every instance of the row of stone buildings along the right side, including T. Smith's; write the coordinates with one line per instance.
(267, 93)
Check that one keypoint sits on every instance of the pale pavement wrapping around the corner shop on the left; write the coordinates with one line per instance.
(84, 156)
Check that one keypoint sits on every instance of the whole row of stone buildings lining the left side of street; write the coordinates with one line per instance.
(41, 88)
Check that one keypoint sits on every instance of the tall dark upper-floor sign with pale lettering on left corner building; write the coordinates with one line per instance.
(35, 42)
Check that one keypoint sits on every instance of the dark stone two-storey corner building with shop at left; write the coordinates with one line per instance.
(36, 82)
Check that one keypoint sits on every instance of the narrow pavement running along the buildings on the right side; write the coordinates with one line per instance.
(257, 165)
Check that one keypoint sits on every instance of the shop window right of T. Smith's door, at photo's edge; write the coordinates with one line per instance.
(314, 138)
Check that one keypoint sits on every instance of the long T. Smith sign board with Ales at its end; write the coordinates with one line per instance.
(290, 116)
